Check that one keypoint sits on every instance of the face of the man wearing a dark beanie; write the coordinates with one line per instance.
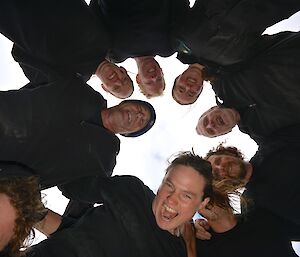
(128, 117)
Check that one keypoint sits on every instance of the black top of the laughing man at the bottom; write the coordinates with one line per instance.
(123, 226)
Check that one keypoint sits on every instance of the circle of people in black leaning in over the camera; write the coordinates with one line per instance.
(57, 131)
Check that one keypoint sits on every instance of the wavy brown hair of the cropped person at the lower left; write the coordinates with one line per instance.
(25, 196)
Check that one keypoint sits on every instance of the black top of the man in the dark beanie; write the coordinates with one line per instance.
(52, 130)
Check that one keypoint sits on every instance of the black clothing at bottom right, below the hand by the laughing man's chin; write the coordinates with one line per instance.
(258, 234)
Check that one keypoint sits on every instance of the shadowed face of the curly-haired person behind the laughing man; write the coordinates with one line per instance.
(227, 167)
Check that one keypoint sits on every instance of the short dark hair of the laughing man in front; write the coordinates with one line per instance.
(203, 167)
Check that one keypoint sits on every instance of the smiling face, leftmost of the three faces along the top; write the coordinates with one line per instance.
(115, 80)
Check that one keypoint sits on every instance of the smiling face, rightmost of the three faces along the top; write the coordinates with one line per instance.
(188, 86)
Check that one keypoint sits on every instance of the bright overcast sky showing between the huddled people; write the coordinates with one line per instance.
(146, 157)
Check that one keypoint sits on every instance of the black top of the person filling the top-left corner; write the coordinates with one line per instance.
(61, 35)
